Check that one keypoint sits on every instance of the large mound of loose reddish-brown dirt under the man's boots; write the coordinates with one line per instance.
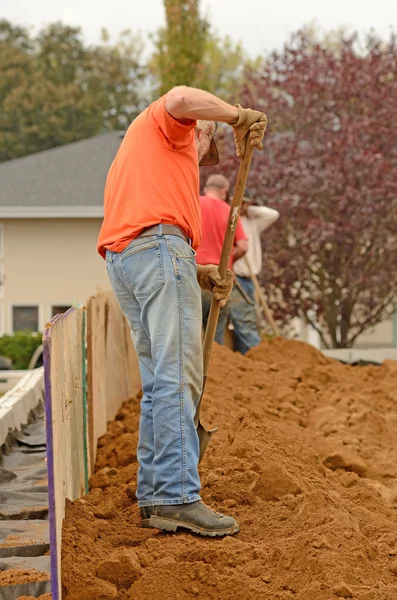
(305, 459)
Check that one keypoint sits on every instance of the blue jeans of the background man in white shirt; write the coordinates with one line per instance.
(243, 316)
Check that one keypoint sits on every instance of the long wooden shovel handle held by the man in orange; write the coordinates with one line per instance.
(241, 181)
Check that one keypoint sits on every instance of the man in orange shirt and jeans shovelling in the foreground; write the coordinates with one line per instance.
(151, 228)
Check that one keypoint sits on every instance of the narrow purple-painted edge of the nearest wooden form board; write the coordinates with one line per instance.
(55, 584)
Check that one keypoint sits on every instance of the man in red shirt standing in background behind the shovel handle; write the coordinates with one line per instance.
(215, 215)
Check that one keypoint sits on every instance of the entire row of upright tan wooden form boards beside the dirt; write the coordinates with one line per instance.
(90, 369)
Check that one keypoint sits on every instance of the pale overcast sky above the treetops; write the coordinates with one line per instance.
(260, 24)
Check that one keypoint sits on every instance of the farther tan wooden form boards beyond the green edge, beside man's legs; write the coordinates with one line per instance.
(112, 365)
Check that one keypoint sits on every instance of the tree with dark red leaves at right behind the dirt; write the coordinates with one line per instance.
(330, 168)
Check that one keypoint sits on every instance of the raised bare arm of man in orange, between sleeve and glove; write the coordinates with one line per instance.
(190, 103)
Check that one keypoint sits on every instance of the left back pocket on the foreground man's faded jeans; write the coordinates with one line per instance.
(142, 267)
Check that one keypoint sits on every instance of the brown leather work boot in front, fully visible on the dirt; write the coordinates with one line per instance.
(196, 517)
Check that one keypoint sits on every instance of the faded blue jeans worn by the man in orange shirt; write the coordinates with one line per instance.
(155, 283)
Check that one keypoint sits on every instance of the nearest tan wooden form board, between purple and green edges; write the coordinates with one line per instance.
(66, 430)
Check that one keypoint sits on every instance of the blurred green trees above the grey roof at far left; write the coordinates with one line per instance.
(54, 89)
